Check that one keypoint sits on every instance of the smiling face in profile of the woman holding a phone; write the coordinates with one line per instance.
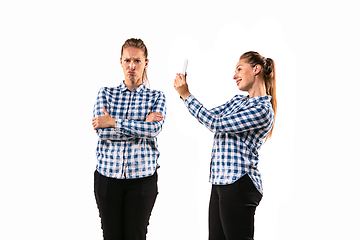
(244, 75)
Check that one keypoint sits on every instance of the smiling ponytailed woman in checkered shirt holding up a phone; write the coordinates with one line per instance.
(241, 126)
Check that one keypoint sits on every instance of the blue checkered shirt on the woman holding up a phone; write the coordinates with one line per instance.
(240, 126)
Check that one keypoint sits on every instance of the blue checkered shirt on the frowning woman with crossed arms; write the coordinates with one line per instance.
(130, 149)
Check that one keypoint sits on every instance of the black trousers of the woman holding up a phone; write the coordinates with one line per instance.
(232, 210)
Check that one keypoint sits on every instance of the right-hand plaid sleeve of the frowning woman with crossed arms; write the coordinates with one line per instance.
(140, 129)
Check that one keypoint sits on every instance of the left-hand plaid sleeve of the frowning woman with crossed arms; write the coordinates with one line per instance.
(106, 133)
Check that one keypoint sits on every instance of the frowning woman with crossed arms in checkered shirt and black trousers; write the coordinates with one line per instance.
(127, 119)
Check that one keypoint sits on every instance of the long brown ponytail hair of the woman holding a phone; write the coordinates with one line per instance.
(268, 71)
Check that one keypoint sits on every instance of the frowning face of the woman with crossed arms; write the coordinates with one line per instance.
(133, 63)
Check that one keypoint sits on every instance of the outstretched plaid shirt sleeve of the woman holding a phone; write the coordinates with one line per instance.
(248, 119)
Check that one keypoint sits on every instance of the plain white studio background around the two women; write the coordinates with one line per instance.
(55, 55)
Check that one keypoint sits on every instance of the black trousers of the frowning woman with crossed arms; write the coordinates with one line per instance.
(125, 205)
